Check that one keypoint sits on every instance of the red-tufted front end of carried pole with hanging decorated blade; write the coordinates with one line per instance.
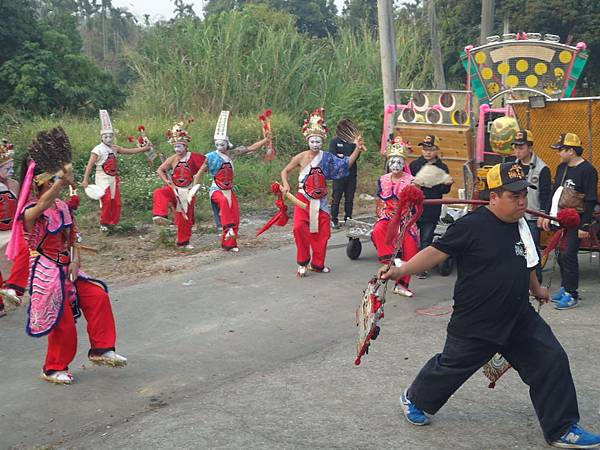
(370, 310)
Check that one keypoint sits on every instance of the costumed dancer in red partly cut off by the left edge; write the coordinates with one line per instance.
(14, 286)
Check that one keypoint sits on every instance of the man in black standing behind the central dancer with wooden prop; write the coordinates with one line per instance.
(345, 186)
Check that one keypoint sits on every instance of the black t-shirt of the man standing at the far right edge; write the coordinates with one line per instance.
(583, 178)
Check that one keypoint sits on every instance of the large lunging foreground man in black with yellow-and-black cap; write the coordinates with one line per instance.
(492, 314)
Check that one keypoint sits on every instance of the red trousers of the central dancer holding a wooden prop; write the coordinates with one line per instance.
(307, 241)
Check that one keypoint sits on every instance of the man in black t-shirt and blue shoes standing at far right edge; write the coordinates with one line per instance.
(575, 186)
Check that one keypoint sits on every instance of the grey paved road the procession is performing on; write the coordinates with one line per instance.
(266, 361)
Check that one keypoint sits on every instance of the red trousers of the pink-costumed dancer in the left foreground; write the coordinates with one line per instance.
(62, 340)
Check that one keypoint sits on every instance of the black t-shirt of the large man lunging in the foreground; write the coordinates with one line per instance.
(492, 288)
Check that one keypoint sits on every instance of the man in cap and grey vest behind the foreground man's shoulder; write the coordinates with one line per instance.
(538, 174)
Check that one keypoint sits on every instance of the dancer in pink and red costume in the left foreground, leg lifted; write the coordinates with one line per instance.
(59, 291)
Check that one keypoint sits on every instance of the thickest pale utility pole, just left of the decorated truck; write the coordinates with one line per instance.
(387, 49)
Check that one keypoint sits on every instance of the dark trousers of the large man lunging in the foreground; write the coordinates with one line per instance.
(533, 351)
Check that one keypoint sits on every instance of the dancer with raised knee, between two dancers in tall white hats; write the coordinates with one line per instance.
(181, 174)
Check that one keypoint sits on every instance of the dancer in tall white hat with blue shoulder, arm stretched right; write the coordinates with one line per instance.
(219, 164)
